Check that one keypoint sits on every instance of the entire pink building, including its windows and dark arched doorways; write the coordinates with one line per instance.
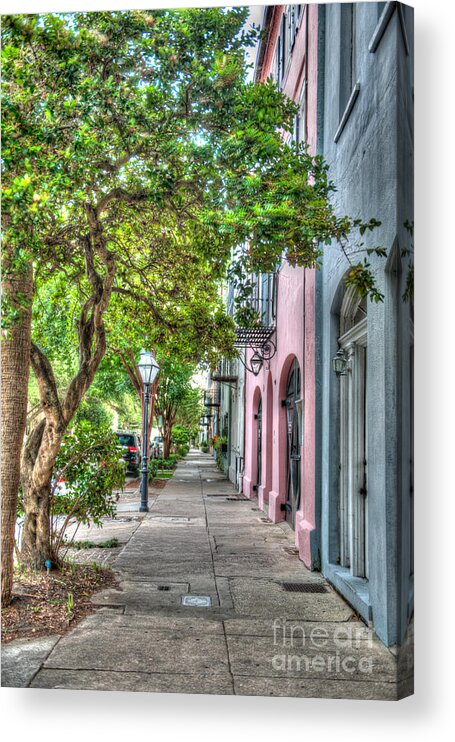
(280, 436)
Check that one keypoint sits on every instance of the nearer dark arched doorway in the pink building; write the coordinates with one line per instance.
(293, 478)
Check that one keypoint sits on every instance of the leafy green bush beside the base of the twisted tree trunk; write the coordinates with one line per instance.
(90, 466)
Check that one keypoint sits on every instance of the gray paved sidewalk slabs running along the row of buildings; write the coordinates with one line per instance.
(242, 631)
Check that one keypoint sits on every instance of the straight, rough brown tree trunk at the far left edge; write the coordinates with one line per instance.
(15, 365)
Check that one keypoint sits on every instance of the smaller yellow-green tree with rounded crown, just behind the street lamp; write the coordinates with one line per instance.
(195, 326)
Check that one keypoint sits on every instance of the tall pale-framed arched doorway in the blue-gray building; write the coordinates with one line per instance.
(353, 493)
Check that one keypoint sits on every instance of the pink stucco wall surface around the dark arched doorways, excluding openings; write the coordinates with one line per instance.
(295, 334)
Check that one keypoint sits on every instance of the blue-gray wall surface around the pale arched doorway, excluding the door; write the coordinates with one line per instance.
(371, 165)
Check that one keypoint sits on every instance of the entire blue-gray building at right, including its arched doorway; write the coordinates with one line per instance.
(365, 414)
